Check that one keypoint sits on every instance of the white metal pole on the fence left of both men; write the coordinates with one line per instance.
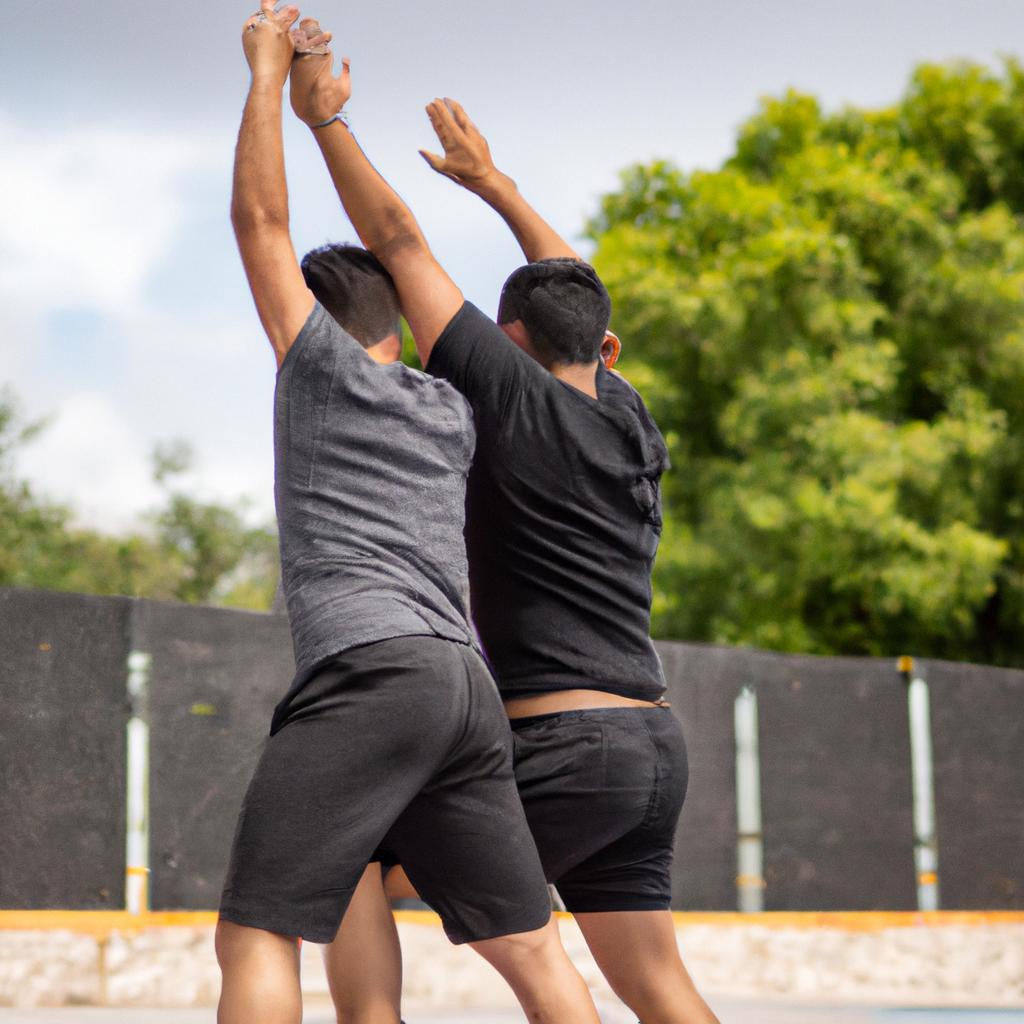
(138, 804)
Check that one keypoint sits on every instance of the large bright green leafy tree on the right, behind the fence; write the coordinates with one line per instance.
(831, 332)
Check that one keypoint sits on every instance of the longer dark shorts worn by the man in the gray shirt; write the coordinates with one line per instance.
(405, 744)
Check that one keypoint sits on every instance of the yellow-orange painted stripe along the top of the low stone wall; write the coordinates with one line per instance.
(106, 922)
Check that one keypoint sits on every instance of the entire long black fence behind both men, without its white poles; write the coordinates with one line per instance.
(835, 762)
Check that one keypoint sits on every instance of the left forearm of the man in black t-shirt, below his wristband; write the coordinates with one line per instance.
(381, 220)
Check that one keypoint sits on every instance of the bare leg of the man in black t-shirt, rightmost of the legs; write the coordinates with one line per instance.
(637, 952)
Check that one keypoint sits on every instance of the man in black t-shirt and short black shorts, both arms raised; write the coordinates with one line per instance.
(563, 528)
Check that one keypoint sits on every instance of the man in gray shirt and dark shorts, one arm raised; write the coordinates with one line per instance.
(393, 734)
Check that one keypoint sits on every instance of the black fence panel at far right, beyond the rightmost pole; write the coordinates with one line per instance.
(978, 740)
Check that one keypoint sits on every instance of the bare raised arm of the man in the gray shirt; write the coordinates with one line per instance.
(260, 195)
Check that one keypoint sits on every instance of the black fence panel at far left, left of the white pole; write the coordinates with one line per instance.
(63, 664)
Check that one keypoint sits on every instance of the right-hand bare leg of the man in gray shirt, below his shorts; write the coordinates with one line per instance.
(548, 987)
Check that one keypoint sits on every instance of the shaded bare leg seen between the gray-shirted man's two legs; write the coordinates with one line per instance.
(364, 963)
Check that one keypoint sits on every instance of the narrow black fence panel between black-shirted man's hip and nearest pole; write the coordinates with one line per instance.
(704, 682)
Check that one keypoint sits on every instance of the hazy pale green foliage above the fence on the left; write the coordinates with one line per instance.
(189, 551)
